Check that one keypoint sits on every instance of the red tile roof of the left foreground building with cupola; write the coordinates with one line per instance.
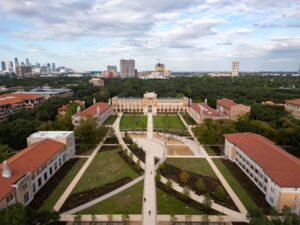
(27, 160)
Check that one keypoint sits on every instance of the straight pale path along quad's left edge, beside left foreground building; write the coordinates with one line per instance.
(71, 186)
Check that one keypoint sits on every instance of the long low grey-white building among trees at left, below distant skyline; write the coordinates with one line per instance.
(48, 92)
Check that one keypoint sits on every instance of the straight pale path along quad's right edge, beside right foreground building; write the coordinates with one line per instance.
(229, 190)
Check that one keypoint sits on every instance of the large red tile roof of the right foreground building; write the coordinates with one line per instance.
(279, 165)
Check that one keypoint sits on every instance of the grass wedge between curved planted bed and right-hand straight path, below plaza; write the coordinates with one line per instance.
(198, 166)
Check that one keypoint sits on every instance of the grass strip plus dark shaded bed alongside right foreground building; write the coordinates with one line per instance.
(247, 192)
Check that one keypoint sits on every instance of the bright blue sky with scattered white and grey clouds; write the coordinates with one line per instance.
(185, 35)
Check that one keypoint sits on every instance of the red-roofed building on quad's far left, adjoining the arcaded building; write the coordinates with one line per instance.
(99, 110)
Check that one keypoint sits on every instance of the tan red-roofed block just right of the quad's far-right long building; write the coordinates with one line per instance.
(231, 109)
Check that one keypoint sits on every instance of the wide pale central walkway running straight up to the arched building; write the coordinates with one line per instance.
(149, 193)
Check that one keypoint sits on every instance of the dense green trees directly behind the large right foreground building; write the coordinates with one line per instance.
(272, 122)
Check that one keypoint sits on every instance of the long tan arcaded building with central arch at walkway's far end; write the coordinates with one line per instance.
(150, 103)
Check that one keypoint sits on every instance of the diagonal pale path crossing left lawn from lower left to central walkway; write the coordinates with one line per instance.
(106, 196)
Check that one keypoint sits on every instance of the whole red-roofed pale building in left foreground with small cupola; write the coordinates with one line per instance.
(25, 173)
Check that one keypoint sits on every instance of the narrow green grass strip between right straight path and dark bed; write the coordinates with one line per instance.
(235, 185)
